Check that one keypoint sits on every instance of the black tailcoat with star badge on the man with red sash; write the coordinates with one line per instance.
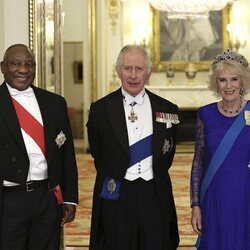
(61, 161)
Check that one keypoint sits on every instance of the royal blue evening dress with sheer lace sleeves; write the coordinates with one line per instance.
(226, 205)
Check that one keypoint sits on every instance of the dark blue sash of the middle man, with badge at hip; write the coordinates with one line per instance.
(138, 151)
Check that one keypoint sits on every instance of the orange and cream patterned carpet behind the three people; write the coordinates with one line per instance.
(77, 232)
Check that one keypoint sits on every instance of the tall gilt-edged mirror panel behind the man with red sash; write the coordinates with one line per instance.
(45, 41)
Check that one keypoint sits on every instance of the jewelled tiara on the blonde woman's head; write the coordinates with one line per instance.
(230, 55)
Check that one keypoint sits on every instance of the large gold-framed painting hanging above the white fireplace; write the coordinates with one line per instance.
(173, 46)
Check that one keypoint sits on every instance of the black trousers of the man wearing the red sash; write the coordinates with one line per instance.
(30, 220)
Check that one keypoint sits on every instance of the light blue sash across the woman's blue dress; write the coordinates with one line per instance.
(221, 153)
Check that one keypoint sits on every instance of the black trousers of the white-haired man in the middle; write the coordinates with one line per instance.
(135, 221)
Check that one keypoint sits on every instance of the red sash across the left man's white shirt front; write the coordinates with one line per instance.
(30, 125)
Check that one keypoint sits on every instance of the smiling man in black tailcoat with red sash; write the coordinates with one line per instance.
(38, 173)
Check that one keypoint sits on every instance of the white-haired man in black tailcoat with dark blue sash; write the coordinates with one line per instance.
(132, 138)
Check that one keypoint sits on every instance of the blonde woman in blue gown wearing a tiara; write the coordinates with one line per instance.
(220, 176)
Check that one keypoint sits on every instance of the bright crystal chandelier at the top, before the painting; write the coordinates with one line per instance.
(189, 9)
